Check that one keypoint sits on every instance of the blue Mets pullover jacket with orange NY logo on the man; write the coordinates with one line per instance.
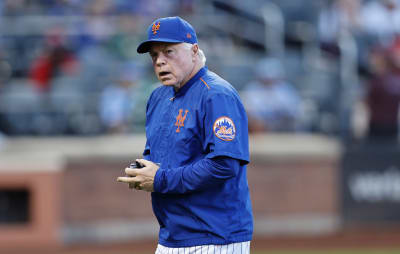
(195, 201)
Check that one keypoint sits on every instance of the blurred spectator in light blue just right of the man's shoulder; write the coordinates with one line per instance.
(272, 104)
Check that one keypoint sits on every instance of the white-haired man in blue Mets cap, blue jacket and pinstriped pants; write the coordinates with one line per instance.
(196, 151)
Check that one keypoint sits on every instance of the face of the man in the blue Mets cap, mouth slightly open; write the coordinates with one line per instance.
(172, 63)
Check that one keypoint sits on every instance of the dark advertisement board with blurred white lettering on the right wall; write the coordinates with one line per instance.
(370, 183)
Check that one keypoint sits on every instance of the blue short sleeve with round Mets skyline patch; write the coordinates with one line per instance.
(226, 127)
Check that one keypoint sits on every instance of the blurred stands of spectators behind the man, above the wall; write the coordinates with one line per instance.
(69, 67)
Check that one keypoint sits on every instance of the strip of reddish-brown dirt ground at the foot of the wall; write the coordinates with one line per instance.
(362, 239)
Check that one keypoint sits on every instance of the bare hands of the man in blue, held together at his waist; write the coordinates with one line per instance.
(141, 178)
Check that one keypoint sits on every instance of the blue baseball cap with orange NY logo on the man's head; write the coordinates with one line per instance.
(170, 29)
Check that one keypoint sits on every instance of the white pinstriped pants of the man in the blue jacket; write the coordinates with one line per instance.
(233, 248)
